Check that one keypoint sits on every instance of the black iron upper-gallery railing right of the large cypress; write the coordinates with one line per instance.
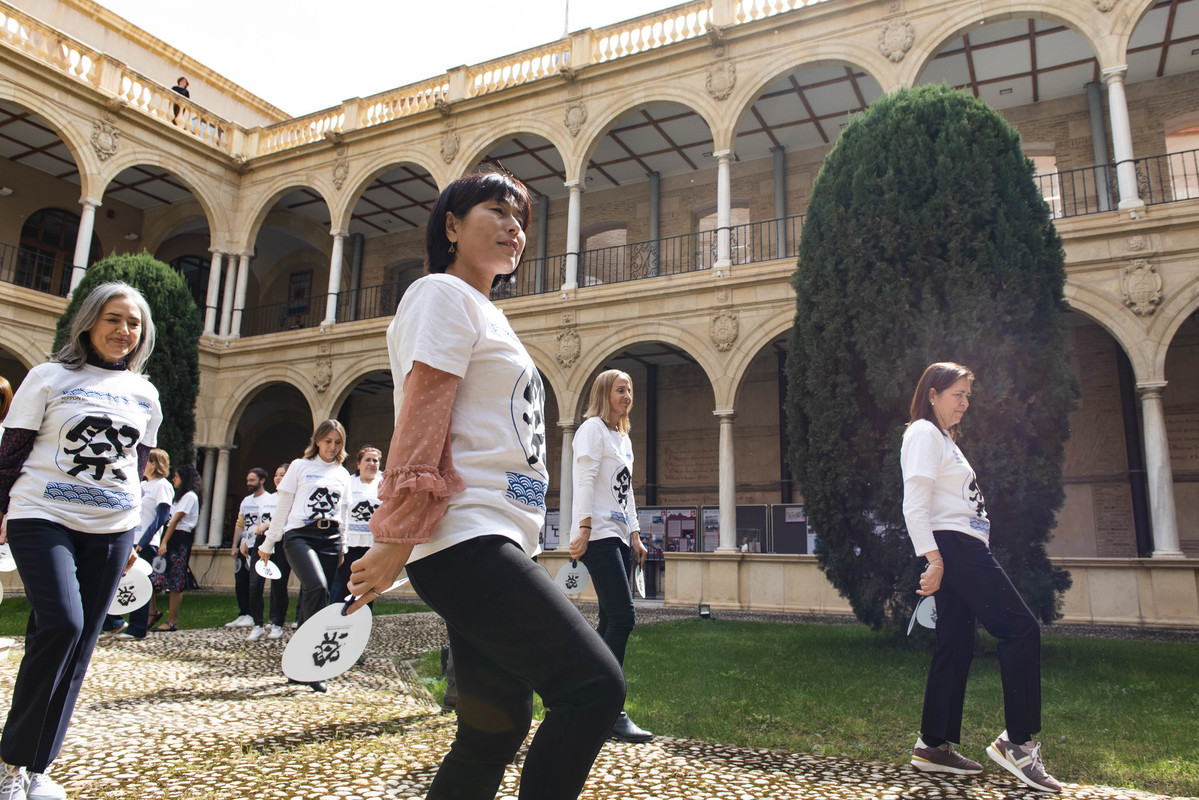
(1095, 190)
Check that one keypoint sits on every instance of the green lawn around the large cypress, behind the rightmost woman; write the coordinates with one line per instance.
(1116, 713)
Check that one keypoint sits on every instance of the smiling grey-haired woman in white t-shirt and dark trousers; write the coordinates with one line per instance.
(79, 434)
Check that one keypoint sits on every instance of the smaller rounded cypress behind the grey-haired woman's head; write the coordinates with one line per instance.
(174, 365)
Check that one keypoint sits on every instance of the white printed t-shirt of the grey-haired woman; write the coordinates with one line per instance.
(83, 470)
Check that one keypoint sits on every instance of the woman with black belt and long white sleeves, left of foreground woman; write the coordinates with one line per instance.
(312, 514)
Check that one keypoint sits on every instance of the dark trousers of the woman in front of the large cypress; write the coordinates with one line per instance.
(977, 588)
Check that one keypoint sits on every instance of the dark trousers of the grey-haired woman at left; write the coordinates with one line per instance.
(70, 581)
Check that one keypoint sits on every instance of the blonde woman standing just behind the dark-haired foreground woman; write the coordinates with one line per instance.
(606, 532)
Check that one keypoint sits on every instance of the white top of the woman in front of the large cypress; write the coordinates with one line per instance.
(956, 502)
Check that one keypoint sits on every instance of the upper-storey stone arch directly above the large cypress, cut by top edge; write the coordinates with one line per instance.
(961, 20)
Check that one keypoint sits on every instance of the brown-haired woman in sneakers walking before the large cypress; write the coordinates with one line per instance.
(947, 518)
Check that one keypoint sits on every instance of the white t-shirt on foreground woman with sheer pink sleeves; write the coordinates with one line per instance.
(498, 426)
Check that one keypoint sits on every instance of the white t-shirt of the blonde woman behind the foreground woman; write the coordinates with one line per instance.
(604, 482)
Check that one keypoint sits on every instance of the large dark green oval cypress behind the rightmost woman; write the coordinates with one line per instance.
(927, 240)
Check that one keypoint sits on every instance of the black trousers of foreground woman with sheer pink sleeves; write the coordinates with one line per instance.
(513, 633)
